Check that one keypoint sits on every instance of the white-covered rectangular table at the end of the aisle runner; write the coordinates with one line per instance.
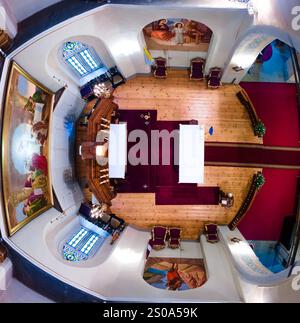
(191, 154)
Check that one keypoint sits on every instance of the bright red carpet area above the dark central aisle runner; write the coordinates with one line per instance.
(276, 106)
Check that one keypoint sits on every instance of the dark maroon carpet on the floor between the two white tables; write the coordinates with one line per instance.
(161, 179)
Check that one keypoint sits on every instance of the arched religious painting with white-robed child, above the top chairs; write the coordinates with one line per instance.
(177, 34)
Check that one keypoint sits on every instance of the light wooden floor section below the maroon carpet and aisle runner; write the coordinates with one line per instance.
(140, 209)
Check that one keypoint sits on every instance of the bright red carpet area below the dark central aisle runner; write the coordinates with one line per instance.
(272, 203)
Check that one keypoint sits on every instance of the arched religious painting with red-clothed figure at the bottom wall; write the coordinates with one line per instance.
(175, 273)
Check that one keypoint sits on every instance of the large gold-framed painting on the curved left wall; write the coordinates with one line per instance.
(25, 149)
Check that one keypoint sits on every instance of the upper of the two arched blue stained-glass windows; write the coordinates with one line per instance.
(81, 58)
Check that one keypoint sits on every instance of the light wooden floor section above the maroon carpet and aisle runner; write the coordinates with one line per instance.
(178, 98)
